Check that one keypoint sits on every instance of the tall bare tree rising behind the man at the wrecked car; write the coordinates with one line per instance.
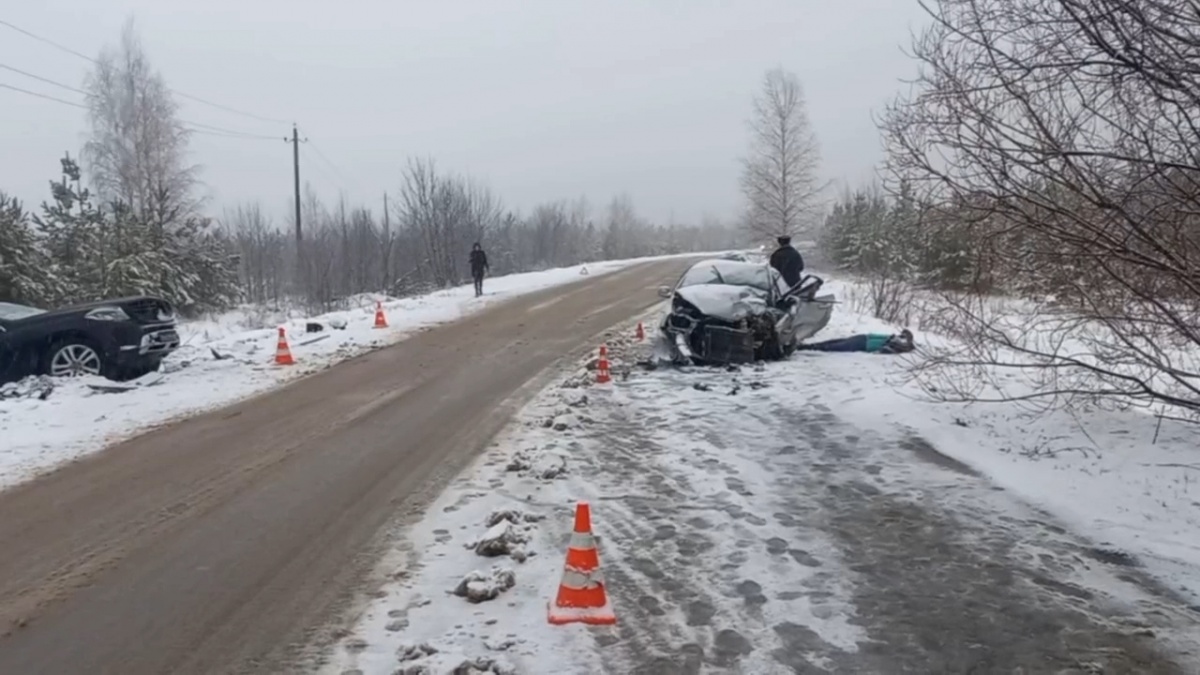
(779, 177)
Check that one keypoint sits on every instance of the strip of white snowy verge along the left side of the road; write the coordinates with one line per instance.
(83, 416)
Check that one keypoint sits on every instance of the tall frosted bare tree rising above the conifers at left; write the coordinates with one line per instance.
(137, 151)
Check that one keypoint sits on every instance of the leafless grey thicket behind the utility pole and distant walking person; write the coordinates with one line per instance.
(427, 238)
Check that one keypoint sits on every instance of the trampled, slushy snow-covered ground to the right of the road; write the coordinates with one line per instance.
(805, 516)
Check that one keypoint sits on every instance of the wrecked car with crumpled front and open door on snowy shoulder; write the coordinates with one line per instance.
(730, 312)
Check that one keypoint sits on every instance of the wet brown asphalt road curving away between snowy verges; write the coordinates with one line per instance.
(227, 542)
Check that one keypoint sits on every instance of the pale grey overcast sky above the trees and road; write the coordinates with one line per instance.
(538, 99)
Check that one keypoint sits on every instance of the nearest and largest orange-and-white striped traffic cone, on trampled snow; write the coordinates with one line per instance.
(581, 594)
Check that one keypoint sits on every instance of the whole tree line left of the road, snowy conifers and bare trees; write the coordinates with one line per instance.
(125, 219)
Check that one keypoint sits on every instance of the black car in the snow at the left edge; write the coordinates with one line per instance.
(117, 339)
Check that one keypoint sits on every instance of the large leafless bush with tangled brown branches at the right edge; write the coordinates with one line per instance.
(1059, 139)
